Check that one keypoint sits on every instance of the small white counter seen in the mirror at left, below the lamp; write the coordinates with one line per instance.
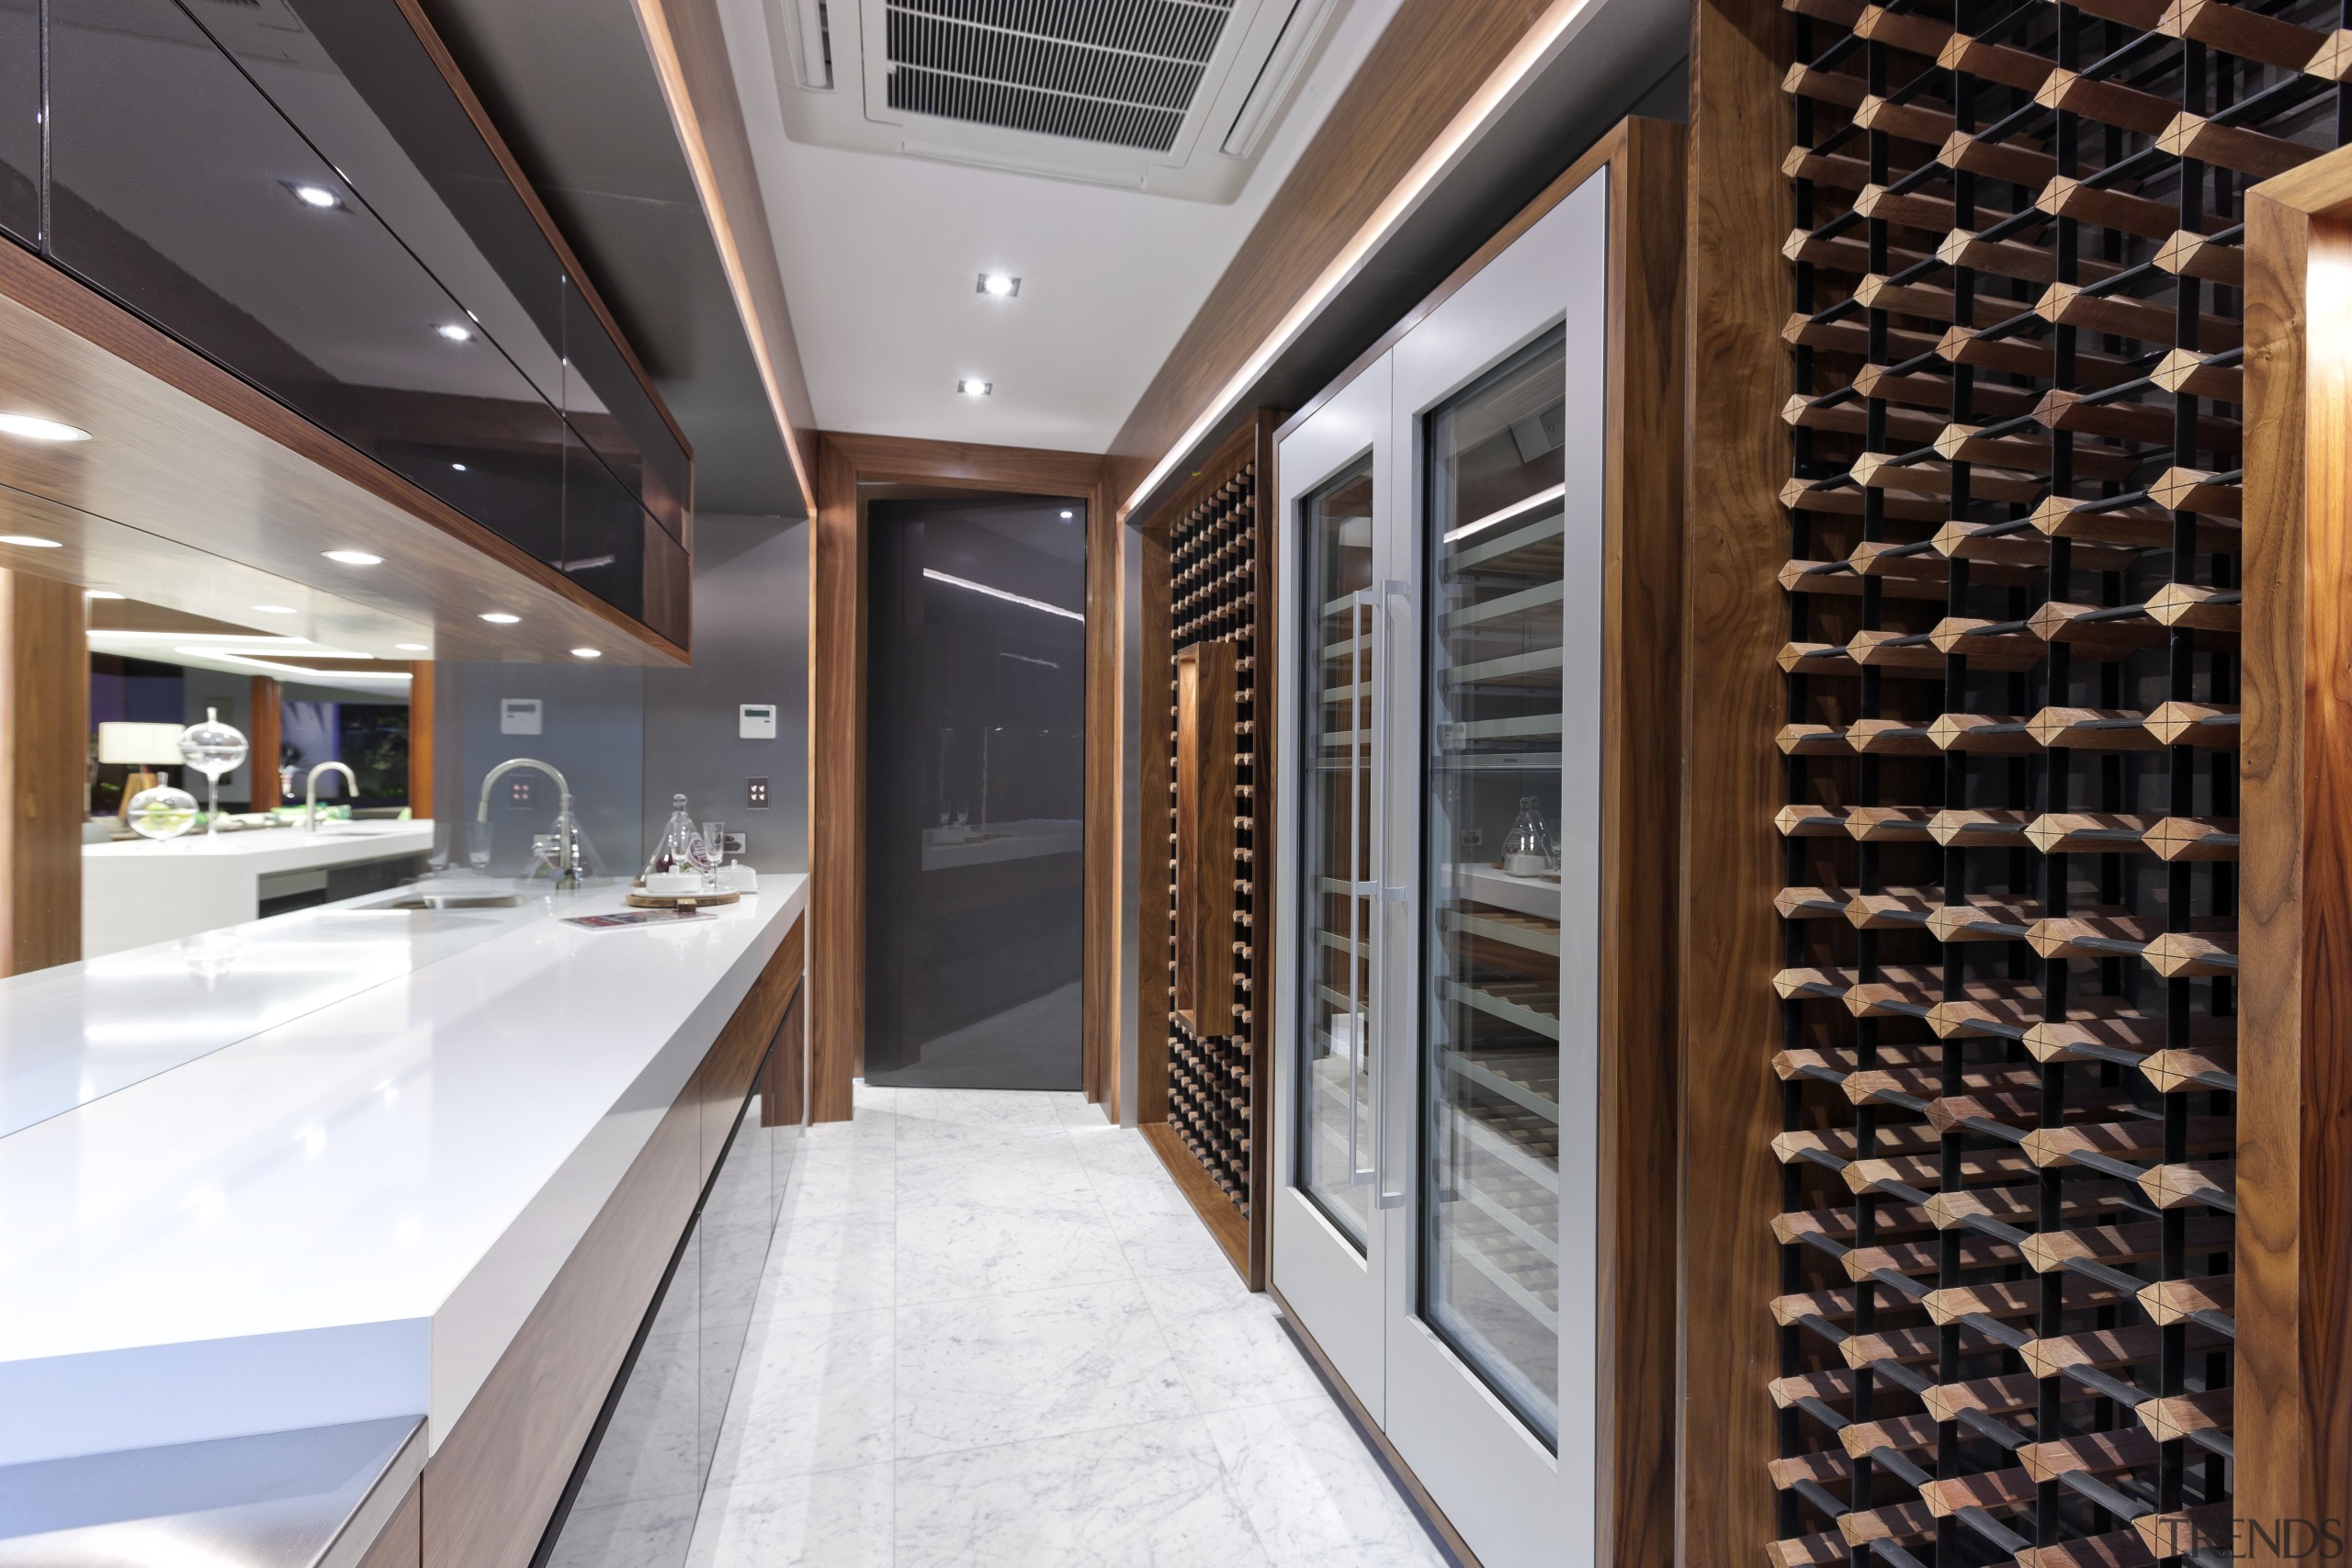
(140, 892)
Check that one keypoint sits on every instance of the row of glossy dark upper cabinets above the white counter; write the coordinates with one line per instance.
(295, 189)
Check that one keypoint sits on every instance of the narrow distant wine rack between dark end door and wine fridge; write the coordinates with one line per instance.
(1215, 1026)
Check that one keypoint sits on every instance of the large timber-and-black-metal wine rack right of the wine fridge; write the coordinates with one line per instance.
(2010, 960)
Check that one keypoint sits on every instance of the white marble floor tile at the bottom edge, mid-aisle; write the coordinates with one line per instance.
(1147, 1496)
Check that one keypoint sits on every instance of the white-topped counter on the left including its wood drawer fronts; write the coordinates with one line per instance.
(415, 1165)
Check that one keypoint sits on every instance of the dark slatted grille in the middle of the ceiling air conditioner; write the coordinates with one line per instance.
(1121, 72)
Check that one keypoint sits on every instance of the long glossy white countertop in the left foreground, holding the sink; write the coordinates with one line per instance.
(380, 1141)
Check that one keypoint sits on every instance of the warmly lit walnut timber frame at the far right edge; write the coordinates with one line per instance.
(2294, 1254)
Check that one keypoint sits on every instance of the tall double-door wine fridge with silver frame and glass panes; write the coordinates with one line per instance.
(1452, 1078)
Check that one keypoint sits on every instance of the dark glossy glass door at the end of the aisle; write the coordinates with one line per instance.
(975, 789)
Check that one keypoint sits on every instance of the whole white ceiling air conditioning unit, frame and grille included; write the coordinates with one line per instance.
(1158, 95)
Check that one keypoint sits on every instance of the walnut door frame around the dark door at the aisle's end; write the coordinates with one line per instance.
(838, 725)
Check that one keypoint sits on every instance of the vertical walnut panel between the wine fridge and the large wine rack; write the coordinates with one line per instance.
(1735, 542)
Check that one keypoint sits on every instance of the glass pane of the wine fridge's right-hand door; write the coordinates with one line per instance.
(1490, 1249)
